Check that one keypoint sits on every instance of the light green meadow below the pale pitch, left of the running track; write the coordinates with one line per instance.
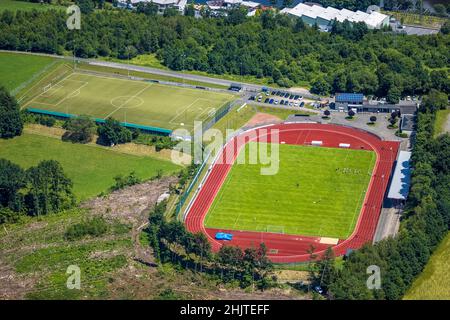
(92, 169)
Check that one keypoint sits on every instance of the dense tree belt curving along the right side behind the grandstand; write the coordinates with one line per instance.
(425, 222)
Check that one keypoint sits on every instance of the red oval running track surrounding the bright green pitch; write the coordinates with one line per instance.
(293, 248)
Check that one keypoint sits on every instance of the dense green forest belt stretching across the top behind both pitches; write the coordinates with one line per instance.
(274, 46)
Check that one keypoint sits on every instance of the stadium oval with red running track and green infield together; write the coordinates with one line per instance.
(332, 196)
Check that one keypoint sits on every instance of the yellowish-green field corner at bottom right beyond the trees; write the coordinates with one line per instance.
(434, 282)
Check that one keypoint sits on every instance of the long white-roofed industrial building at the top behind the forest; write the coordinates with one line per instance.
(324, 17)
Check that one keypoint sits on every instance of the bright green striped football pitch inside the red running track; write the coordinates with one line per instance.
(317, 192)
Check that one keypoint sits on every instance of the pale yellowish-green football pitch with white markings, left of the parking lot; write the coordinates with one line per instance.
(130, 101)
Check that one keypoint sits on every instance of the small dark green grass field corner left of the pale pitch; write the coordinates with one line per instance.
(17, 69)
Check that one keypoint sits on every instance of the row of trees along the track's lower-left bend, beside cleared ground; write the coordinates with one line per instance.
(172, 243)
